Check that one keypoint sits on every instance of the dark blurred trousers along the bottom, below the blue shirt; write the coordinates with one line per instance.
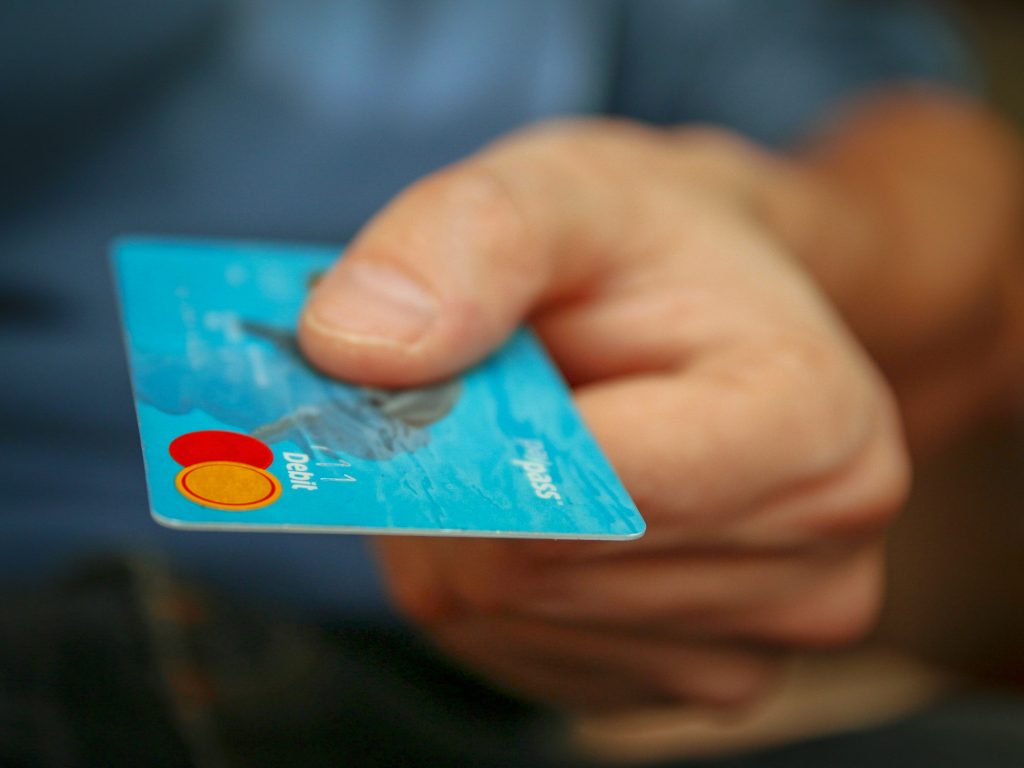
(122, 664)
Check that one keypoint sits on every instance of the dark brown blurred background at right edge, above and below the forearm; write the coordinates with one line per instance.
(958, 583)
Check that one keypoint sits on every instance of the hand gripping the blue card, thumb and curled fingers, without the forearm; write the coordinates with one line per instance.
(756, 438)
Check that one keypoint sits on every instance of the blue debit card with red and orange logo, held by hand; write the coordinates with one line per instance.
(239, 433)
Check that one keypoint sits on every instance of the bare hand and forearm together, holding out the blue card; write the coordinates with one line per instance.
(735, 325)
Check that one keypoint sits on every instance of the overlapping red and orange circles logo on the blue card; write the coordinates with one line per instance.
(225, 471)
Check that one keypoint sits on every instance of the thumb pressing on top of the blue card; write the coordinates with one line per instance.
(449, 270)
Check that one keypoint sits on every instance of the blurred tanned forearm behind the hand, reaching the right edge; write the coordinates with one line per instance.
(910, 212)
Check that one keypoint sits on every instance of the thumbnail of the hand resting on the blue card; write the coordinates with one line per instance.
(369, 304)
